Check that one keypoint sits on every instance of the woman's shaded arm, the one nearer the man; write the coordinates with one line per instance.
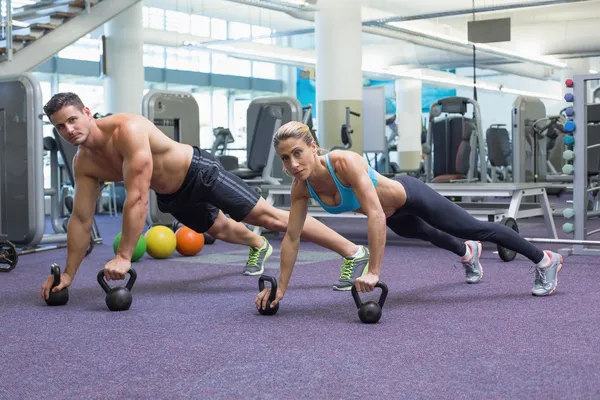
(291, 240)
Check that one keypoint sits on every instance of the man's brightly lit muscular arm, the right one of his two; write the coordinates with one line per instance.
(134, 145)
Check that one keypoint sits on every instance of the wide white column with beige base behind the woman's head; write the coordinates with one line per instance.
(338, 38)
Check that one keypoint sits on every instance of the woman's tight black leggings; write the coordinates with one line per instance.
(429, 216)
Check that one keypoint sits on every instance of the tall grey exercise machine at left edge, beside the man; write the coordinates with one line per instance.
(22, 191)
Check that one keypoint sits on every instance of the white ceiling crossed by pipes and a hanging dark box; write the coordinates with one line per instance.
(563, 29)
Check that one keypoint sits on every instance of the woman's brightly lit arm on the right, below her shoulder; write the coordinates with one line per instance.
(351, 167)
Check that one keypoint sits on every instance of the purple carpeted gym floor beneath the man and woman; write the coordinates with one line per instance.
(193, 330)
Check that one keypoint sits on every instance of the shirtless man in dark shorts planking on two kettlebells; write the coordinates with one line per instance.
(189, 183)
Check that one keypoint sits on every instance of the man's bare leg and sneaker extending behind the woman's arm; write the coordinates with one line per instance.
(356, 258)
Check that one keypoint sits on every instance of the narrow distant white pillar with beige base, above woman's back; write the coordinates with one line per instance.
(409, 122)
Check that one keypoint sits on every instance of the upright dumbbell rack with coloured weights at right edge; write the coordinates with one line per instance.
(578, 125)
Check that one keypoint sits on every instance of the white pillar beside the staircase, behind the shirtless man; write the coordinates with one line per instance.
(124, 83)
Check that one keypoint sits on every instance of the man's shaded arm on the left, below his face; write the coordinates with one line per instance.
(79, 229)
